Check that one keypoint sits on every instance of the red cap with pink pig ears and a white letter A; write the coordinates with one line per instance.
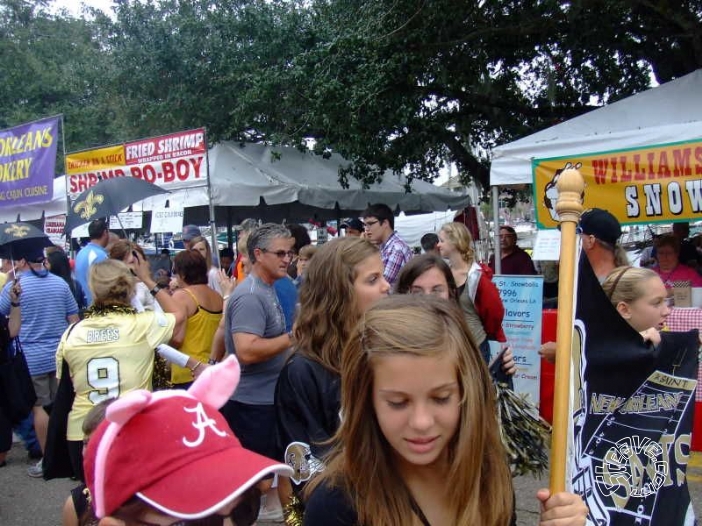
(173, 450)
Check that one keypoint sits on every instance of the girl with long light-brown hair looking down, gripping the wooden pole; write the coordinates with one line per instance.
(419, 441)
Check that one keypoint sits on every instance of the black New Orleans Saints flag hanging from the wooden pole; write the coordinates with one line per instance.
(632, 417)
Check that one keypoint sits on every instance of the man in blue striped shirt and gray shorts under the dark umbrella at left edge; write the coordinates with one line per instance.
(47, 307)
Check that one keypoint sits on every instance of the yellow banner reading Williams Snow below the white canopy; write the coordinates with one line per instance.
(661, 183)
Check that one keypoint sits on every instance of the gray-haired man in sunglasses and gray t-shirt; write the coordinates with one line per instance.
(255, 333)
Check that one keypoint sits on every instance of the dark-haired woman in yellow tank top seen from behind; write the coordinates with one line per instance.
(202, 308)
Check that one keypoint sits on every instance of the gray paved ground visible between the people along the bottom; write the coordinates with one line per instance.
(25, 501)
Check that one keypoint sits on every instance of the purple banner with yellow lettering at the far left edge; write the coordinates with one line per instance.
(27, 162)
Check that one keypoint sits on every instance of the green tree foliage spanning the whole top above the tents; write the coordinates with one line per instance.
(401, 86)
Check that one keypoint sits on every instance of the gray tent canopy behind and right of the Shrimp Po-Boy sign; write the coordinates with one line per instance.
(274, 183)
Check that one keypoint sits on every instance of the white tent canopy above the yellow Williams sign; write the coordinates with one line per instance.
(668, 113)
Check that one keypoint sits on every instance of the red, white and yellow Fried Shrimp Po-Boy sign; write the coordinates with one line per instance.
(171, 161)
